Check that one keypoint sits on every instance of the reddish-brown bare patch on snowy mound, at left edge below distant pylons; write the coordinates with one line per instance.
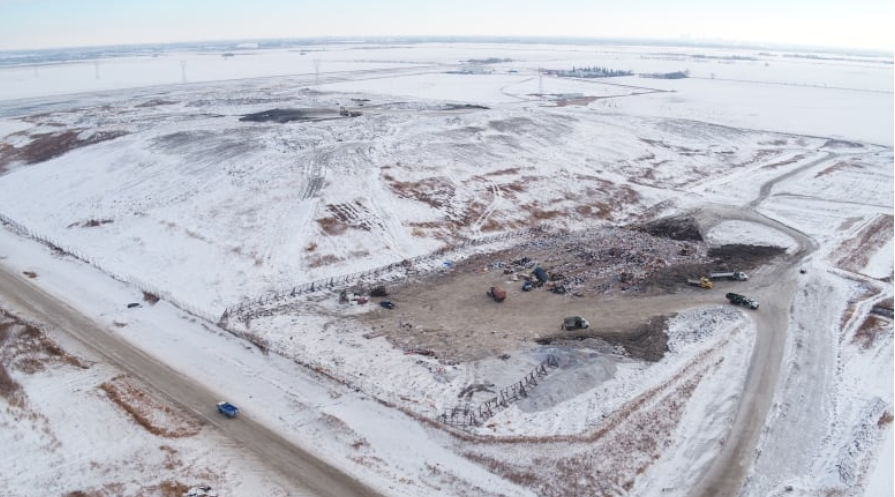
(46, 146)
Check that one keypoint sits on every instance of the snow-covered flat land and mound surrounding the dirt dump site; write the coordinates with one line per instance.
(164, 187)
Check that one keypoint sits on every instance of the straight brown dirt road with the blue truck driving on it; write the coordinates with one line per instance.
(310, 476)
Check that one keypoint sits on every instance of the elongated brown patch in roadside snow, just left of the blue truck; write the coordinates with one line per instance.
(153, 414)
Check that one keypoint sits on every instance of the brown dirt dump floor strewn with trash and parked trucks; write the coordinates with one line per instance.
(624, 282)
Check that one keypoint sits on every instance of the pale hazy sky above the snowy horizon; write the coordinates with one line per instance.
(61, 23)
